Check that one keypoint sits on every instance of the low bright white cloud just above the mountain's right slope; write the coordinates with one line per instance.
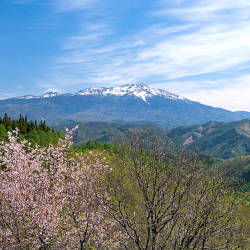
(232, 94)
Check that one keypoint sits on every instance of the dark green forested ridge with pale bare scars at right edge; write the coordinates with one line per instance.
(217, 139)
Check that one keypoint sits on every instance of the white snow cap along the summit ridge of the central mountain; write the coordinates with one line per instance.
(139, 90)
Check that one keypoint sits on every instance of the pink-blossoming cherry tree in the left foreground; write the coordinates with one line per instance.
(50, 197)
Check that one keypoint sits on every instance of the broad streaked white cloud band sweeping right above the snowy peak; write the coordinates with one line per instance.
(208, 50)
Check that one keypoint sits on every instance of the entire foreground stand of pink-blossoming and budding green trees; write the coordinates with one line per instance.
(138, 197)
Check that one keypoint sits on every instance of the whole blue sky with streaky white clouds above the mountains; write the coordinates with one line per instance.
(196, 48)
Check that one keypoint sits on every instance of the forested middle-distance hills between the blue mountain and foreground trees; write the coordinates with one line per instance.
(210, 140)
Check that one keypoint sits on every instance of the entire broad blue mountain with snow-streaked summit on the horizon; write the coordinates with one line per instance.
(136, 103)
